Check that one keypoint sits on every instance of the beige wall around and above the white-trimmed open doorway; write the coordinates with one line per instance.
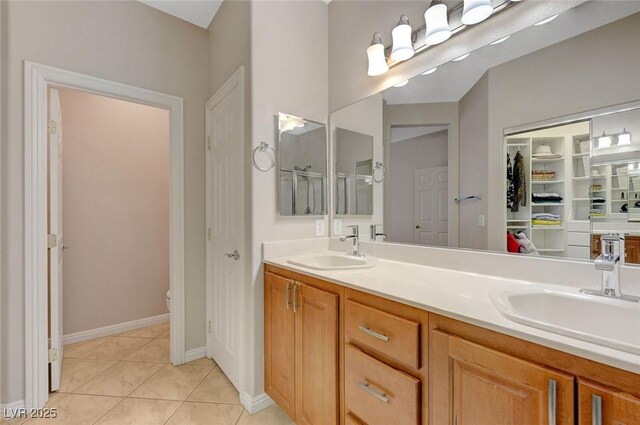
(126, 42)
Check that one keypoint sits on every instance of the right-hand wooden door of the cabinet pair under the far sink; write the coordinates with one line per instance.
(316, 356)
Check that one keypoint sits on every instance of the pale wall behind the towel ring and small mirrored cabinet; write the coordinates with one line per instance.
(289, 52)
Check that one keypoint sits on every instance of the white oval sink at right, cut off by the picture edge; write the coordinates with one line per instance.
(605, 321)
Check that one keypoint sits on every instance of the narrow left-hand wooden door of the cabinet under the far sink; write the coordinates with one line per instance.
(279, 346)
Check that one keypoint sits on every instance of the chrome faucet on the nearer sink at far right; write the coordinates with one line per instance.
(609, 263)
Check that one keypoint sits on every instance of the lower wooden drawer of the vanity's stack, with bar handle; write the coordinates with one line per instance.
(377, 393)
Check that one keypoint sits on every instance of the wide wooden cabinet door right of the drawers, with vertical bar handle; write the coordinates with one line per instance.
(473, 385)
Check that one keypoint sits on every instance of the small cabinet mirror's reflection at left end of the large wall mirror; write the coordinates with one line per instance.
(353, 162)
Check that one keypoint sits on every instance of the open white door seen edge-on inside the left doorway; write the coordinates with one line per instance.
(55, 238)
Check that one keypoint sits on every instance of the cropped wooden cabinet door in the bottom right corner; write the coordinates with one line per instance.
(599, 405)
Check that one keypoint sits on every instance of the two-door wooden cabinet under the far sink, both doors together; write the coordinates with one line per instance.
(301, 350)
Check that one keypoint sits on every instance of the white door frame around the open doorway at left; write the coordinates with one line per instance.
(37, 79)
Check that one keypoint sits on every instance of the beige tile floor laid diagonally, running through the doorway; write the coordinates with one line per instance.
(127, 379)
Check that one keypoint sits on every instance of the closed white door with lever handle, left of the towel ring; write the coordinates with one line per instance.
(225, 226)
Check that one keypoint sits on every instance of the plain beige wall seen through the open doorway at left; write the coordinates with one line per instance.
(115, 210)
